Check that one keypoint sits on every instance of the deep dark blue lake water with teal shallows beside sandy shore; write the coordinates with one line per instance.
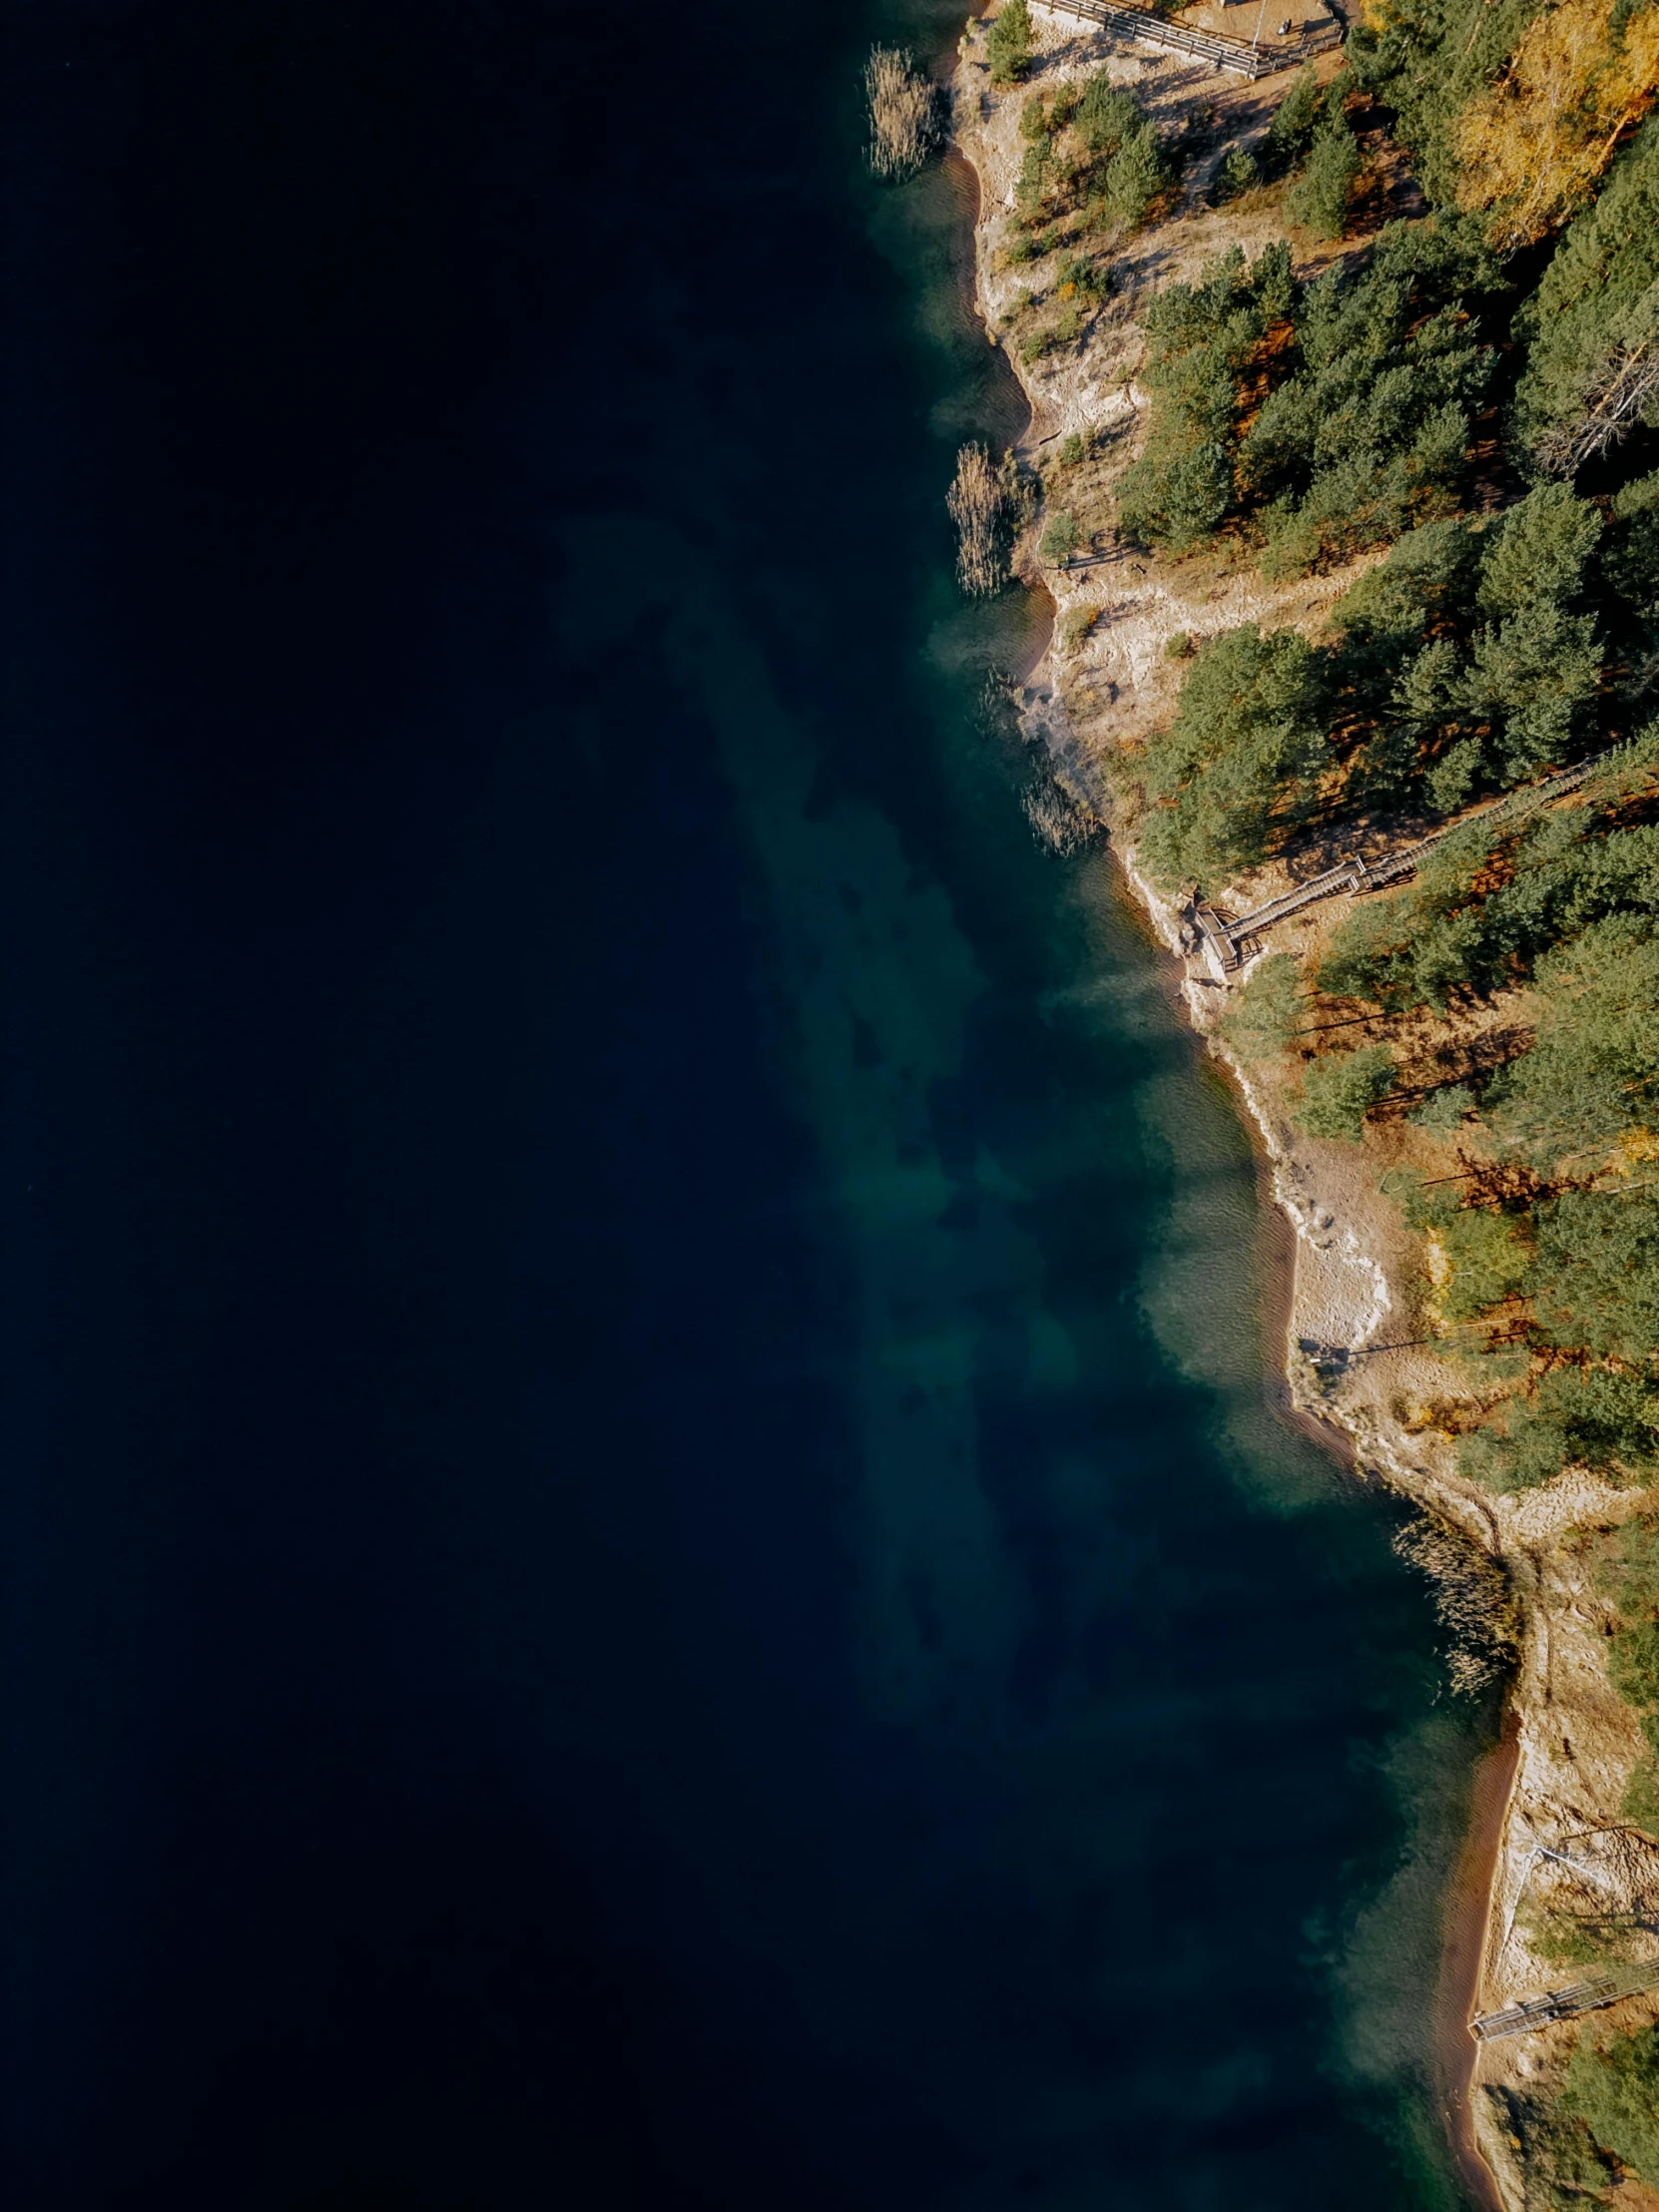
(636, 1574)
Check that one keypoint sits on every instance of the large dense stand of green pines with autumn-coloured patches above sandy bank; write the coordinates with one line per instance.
(1472, 401)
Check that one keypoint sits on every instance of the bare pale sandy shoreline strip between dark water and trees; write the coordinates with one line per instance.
(1335, 1271)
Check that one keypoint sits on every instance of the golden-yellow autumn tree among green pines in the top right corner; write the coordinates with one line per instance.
(1536, 143)
